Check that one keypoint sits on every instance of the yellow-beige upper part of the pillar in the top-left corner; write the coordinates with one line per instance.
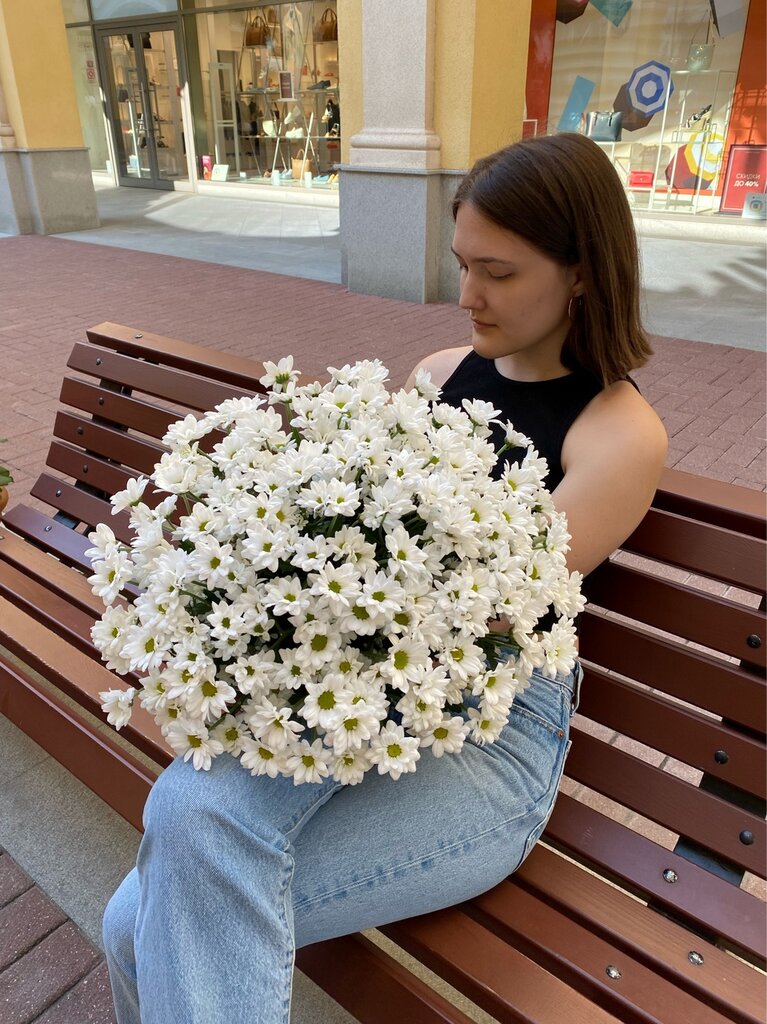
(36, 75)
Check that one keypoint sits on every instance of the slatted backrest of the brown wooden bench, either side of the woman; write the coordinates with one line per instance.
(669, 746)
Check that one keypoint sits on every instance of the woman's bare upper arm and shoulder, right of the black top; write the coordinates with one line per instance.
(613, 458)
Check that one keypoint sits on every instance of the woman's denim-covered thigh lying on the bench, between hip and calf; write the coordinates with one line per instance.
(383, 850)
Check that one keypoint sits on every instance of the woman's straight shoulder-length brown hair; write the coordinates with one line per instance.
(562, 195)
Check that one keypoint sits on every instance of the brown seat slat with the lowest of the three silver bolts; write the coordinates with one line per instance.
(583, 958)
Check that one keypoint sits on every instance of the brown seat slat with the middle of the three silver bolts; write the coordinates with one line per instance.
(660, 944)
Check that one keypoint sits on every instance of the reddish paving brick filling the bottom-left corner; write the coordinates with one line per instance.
(45, 975)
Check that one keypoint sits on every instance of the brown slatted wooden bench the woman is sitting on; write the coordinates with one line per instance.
(607, 921)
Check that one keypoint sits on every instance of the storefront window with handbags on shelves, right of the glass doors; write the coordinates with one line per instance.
(265, 92)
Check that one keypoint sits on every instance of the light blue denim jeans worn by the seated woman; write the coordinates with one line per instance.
(236, 872)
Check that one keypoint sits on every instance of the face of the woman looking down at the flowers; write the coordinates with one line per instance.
(518, 297)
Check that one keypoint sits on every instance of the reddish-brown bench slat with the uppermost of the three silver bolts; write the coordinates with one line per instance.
(635, 862)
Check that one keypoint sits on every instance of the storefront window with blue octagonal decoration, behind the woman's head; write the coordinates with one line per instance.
(653, 83)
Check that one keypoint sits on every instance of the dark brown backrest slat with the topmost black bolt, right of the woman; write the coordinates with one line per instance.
(705, 619)
